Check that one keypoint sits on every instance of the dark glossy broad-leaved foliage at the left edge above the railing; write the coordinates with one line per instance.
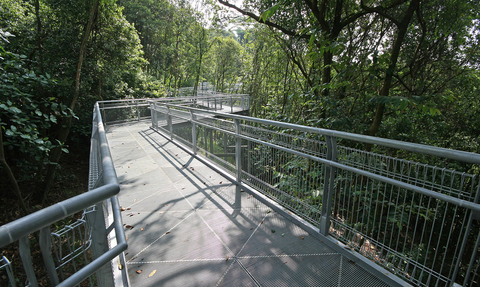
(26, 118)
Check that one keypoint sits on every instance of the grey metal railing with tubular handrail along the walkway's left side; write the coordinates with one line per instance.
(83, 250)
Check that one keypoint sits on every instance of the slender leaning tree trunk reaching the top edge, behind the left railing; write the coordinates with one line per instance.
(67, 121)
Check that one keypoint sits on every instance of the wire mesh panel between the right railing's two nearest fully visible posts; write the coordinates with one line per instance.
(294, 182)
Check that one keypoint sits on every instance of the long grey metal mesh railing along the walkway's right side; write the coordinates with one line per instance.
(403, 206)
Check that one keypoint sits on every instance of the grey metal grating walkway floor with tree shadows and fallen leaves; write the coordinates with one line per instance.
(187, 226)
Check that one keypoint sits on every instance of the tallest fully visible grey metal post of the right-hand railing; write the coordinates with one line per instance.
(328, 188)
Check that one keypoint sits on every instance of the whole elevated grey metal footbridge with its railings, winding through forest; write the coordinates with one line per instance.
(212, 198)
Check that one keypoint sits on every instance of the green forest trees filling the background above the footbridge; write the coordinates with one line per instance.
(400, 69)
